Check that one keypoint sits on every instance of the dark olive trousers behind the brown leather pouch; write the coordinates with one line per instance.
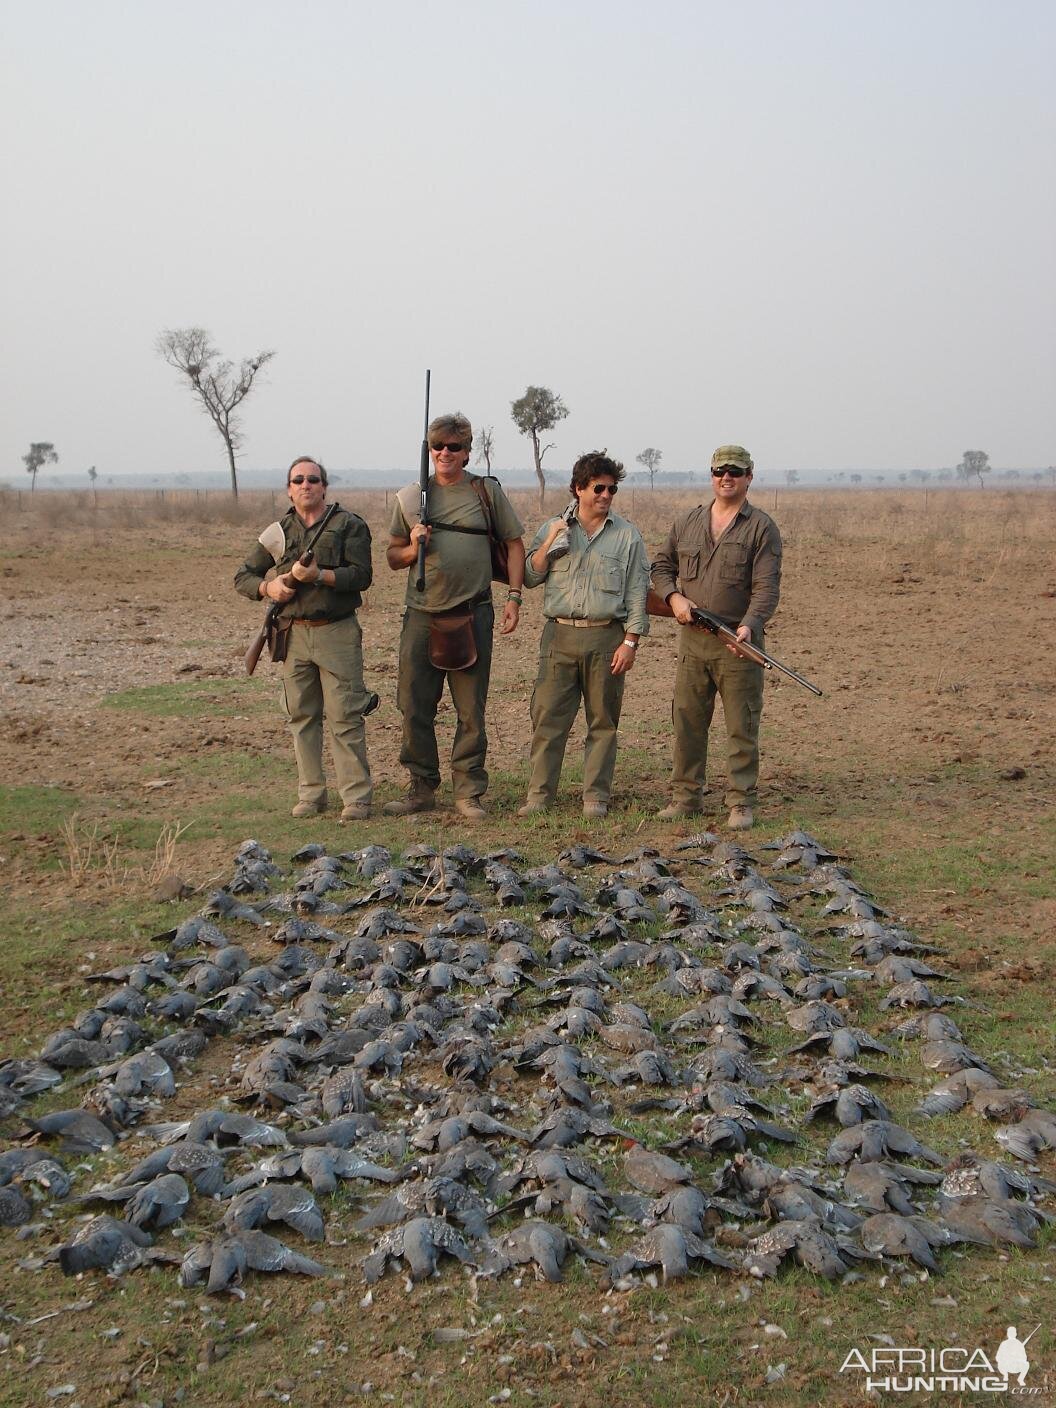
(419, 693)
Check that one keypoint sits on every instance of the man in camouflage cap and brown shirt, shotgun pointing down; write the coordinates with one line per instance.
(727, 558)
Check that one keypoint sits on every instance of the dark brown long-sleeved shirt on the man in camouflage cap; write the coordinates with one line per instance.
(737, 577)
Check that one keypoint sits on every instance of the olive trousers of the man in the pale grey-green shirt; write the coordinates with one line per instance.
(575, 665)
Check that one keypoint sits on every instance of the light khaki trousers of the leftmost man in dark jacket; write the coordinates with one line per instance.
(325, 675)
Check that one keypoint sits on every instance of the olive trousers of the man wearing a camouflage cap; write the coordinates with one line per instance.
(706, 670)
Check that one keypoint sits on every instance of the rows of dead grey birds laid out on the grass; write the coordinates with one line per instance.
(606, 1078)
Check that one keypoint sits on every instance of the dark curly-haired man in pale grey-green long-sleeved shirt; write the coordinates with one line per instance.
(595, 605)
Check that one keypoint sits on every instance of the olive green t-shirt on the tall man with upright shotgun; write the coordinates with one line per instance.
(458, 565)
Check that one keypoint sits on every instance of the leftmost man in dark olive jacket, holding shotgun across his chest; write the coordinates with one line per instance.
(323, 672)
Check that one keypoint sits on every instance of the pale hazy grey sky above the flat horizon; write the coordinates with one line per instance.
(823, 229)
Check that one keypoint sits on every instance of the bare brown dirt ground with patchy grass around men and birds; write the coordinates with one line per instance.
(929, 624)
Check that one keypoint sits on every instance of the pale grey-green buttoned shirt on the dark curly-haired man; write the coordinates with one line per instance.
(605, 578)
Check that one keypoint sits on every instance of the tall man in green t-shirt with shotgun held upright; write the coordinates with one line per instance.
(458, 579)
